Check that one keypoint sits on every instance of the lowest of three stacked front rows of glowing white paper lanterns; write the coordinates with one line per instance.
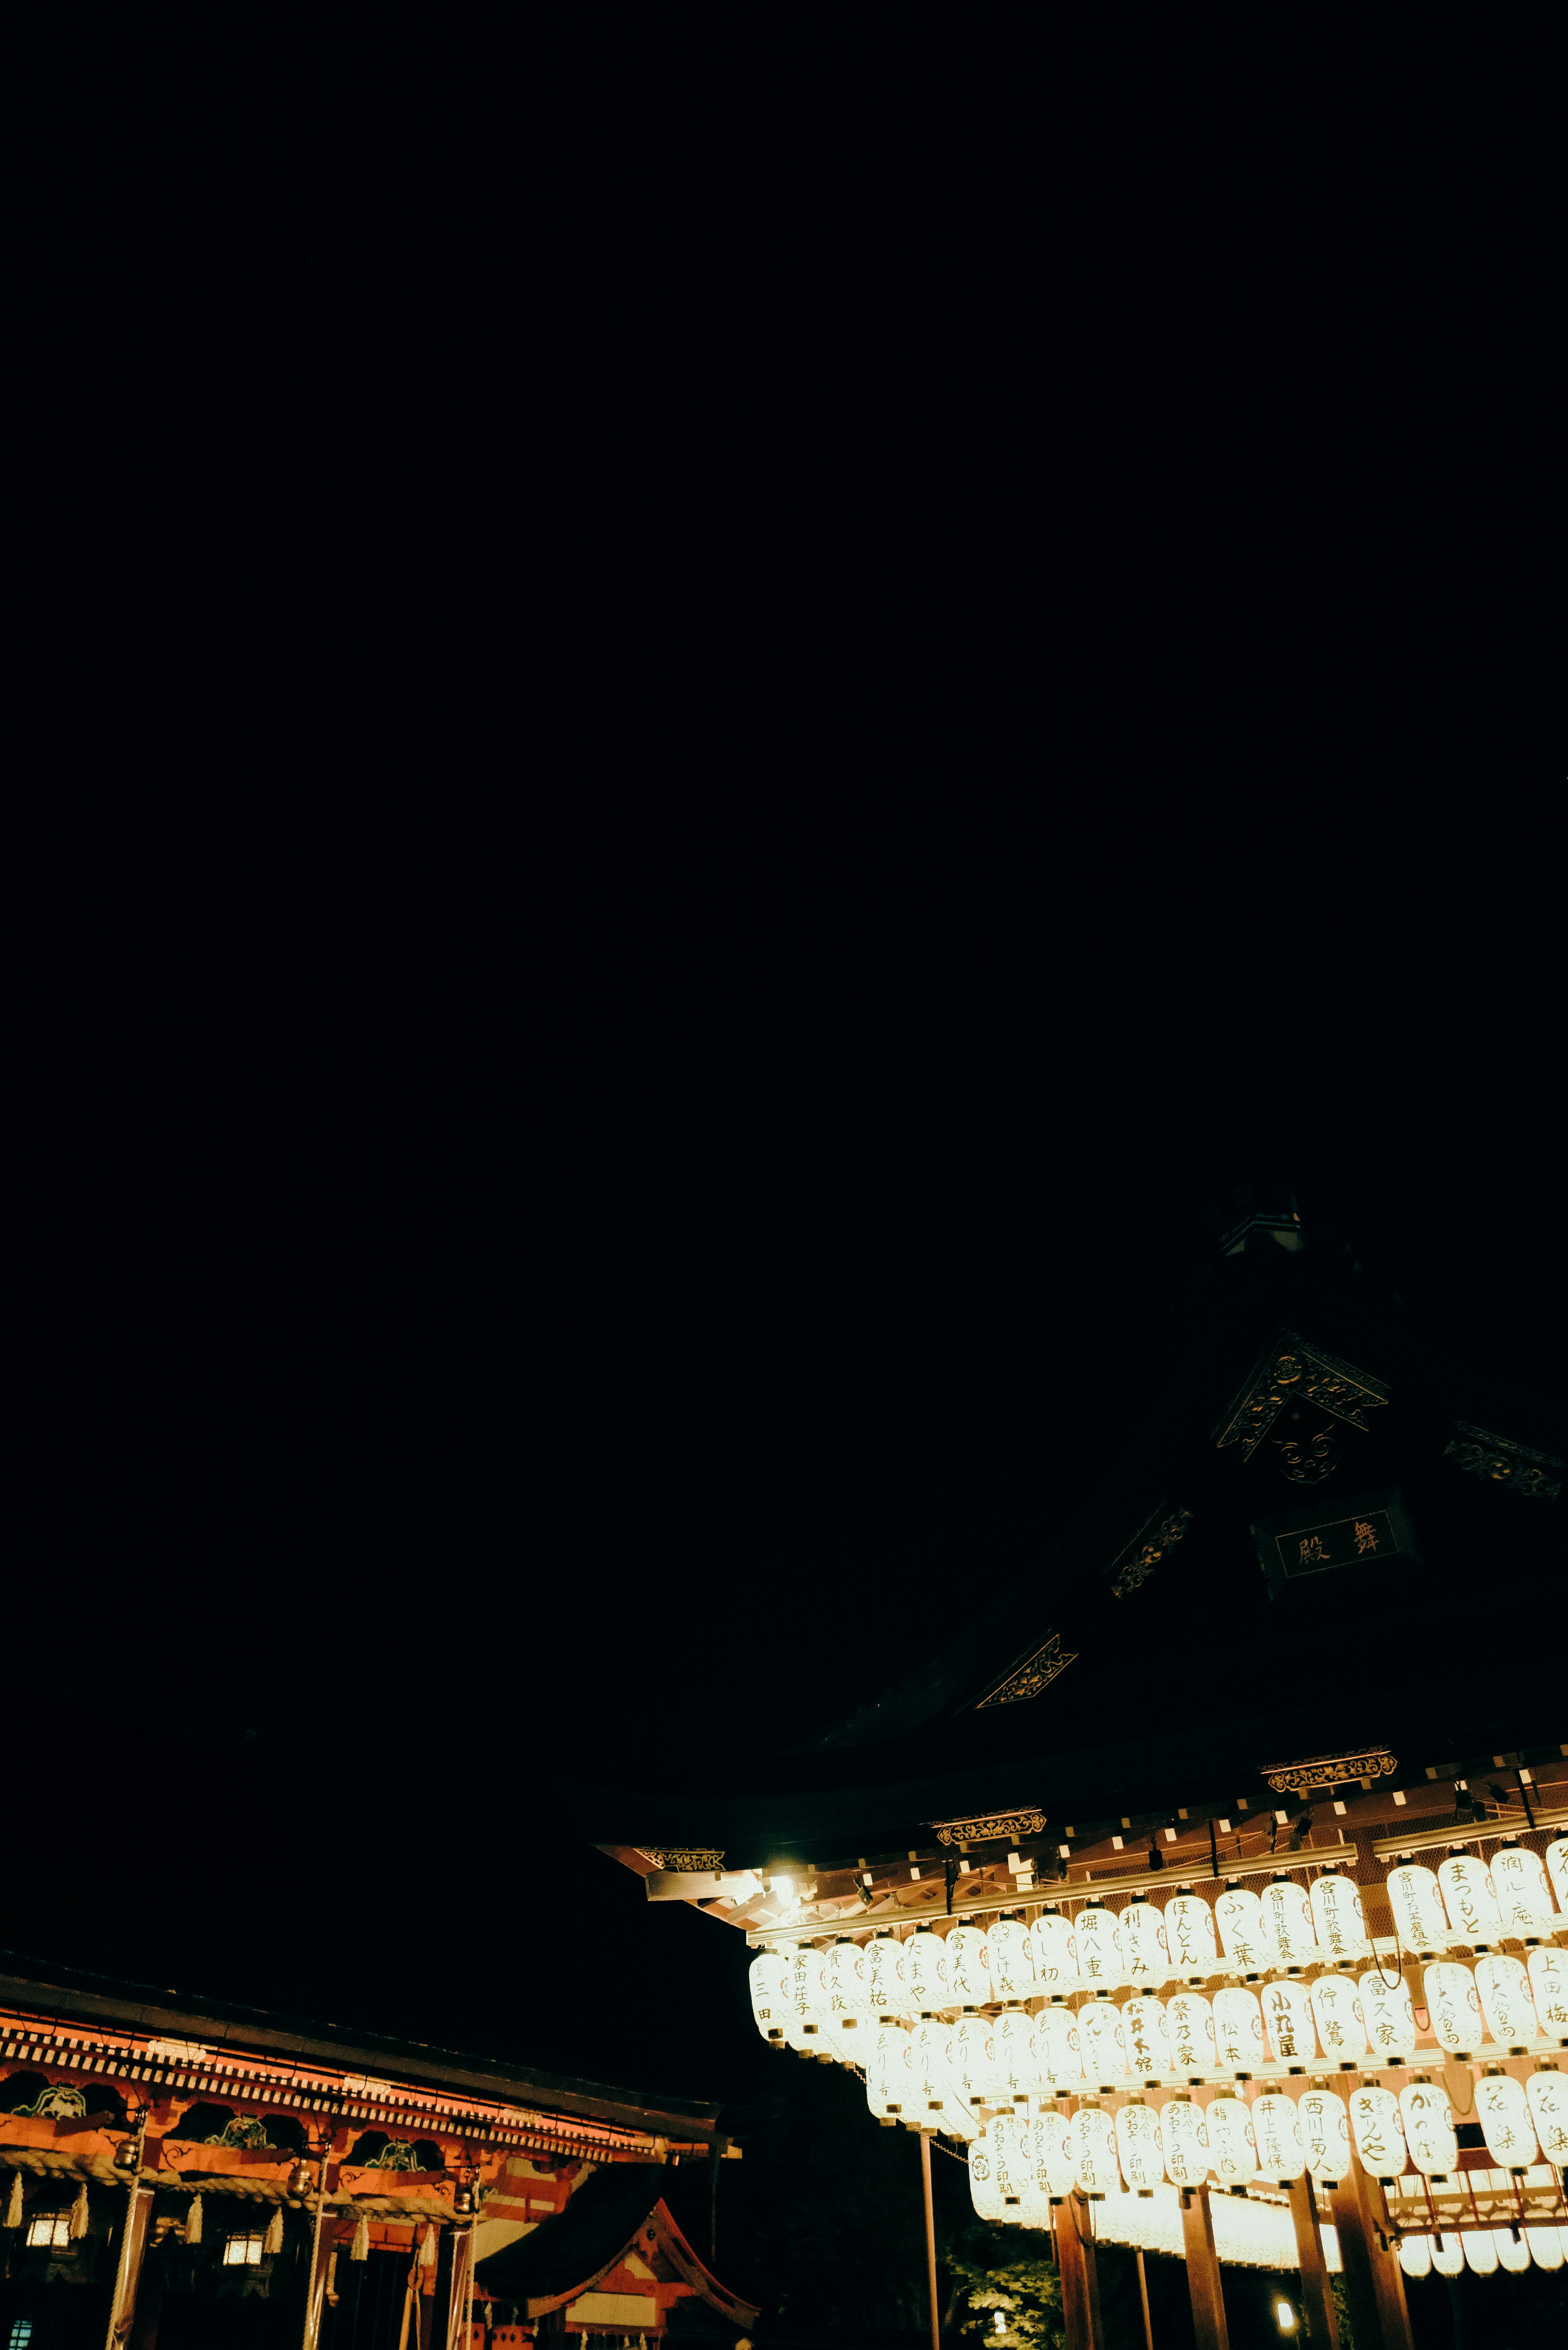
(1021, 2163)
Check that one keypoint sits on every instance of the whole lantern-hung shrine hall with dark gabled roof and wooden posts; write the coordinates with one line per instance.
(1207, 1888)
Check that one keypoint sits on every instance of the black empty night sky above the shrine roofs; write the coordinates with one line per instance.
(697, 817)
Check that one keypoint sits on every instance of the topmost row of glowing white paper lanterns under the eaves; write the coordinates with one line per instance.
(1287, 1926)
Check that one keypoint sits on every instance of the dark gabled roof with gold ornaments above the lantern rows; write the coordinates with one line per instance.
(1322, 1531)
